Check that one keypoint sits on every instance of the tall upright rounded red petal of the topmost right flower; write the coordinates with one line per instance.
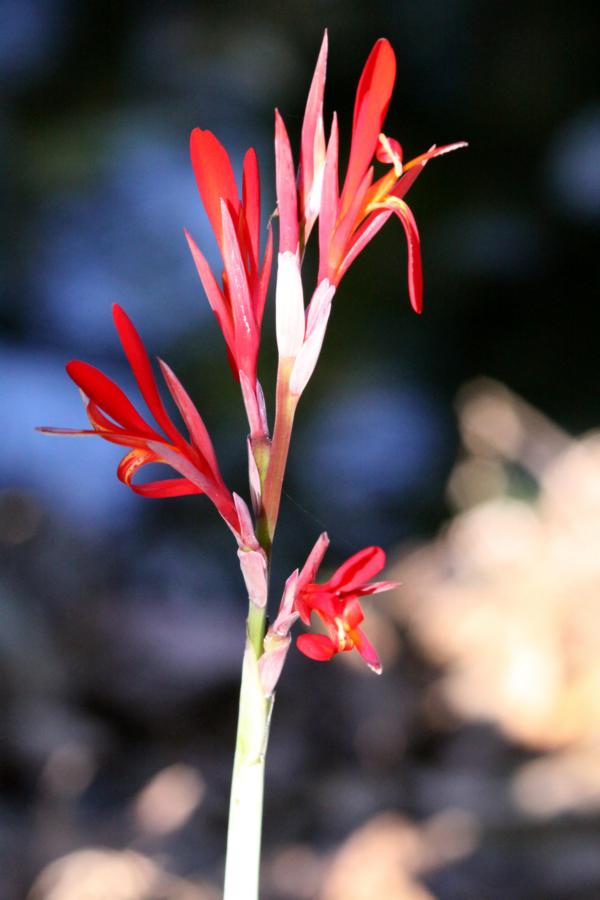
(372, 100)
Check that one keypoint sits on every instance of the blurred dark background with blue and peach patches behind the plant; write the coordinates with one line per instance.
(462, 441)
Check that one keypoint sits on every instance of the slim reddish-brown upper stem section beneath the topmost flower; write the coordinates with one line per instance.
(280, 445)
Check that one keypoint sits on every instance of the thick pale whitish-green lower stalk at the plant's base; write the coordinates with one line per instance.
(242, 864)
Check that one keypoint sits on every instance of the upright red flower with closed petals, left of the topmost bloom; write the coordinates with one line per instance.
(239, 302)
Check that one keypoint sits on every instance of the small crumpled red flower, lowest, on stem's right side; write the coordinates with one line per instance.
(337, 605)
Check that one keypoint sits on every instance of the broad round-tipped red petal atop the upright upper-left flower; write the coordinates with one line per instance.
(214, 176)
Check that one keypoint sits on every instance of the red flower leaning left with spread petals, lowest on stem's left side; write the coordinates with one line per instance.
(114, 418)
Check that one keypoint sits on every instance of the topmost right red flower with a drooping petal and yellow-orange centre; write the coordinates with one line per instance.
(348, 221)
